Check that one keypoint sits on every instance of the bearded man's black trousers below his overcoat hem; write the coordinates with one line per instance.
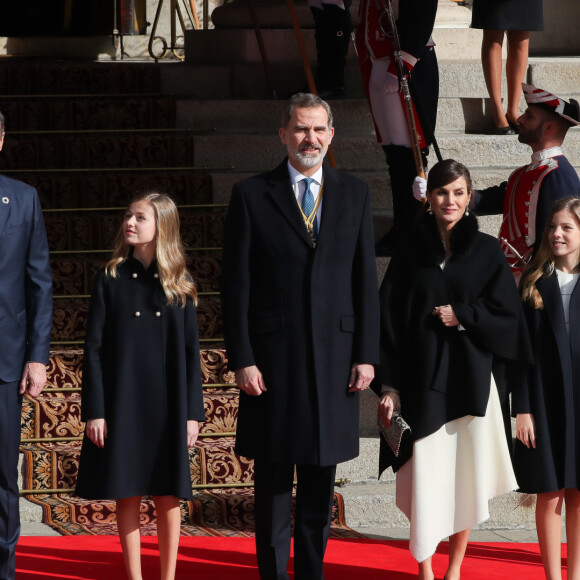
(273, 500)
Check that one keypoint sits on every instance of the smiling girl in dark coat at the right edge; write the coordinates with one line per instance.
(547, 456)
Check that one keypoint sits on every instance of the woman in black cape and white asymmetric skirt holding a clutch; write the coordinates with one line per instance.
(450, 313)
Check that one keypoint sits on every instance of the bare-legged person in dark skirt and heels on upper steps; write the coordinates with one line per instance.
(516, 18)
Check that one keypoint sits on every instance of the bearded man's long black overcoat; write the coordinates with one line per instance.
(302, 315)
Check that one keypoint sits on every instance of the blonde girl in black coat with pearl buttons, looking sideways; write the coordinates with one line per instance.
(142, 396)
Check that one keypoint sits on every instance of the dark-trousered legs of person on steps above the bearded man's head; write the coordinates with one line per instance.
(332, 28)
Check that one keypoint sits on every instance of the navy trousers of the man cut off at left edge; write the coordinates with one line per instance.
(10, 412)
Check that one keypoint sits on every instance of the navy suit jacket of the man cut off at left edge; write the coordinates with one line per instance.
(25, 280)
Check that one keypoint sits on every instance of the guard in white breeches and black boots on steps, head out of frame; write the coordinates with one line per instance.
(414, 21)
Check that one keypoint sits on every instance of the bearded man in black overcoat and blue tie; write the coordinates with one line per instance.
(301, 324)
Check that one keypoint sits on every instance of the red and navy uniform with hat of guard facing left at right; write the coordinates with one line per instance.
(531, 190)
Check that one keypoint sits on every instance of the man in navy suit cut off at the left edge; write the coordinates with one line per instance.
(26, 320)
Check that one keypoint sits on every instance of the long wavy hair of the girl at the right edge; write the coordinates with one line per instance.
(543, 265)
